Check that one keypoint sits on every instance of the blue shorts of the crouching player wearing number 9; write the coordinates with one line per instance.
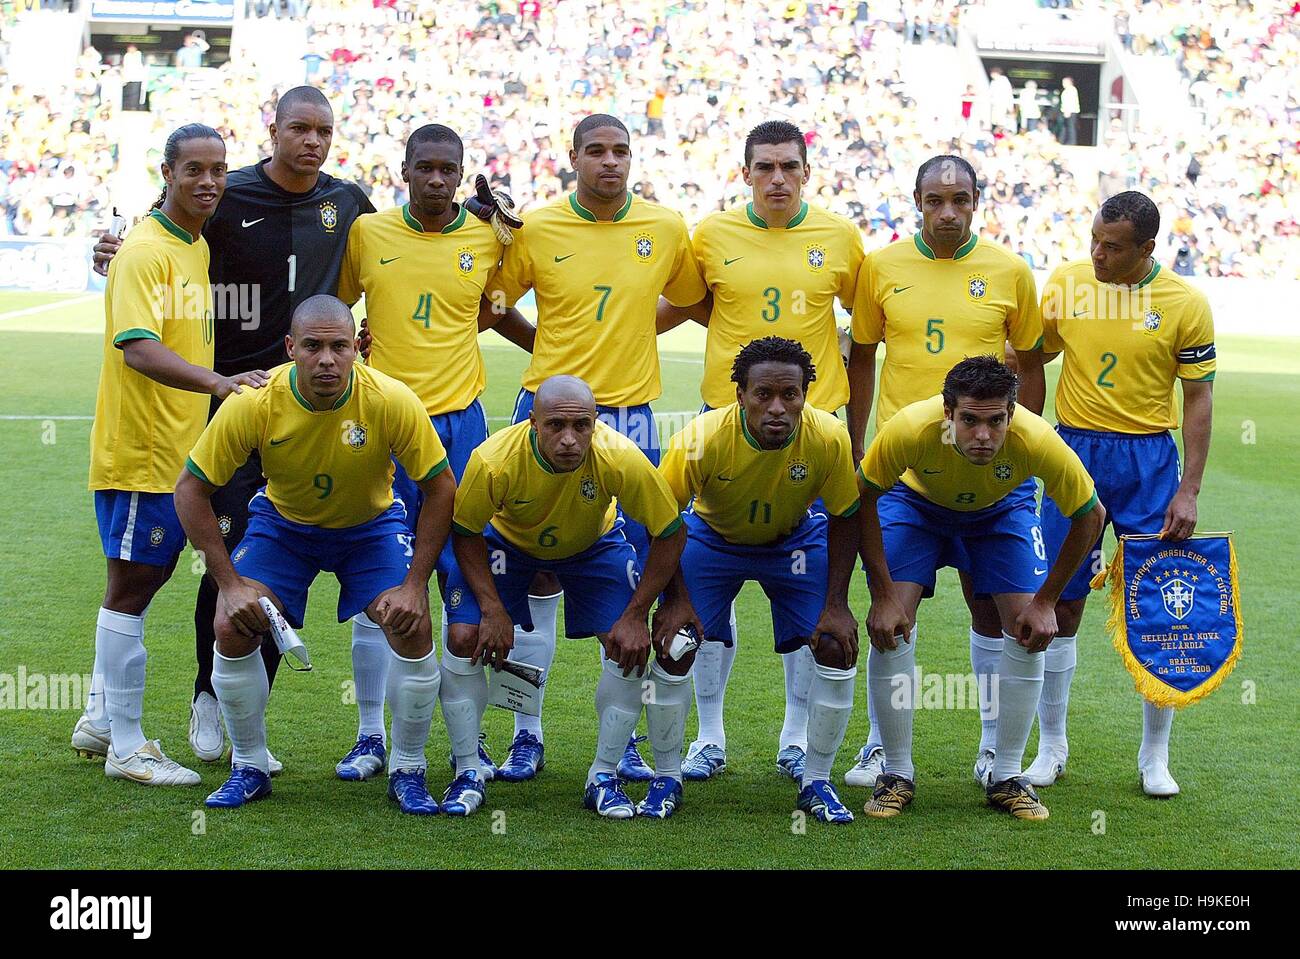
(287, 557)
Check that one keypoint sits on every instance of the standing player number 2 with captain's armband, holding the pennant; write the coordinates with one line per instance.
(1129, 329)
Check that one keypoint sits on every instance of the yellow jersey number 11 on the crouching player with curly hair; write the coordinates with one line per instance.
(751, 496)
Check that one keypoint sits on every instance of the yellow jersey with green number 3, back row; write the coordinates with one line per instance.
(774, 283)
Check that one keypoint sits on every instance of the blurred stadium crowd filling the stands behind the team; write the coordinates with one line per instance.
(690, 80)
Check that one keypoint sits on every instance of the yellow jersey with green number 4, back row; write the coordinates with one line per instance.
(422, 301)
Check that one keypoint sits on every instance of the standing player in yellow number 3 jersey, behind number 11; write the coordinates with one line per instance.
(774, 267)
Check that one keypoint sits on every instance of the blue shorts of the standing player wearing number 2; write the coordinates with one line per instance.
(1137, 476)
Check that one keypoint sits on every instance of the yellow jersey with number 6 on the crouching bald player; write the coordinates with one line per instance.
(554, 515)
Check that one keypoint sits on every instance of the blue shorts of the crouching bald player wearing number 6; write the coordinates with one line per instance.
(599, 584)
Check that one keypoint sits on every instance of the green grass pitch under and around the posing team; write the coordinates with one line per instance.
(1230, 753)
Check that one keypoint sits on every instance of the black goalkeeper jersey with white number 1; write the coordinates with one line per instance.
(272, 250)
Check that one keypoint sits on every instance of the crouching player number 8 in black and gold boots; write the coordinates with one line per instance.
(960, 458)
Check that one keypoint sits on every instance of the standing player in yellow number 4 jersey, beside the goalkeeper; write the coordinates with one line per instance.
(423, 268)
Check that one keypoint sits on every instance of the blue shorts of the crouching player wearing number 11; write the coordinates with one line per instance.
(792, 574)
